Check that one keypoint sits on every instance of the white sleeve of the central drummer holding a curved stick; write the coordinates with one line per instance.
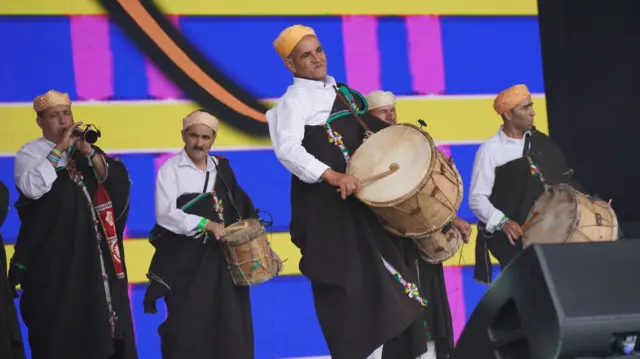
(286, 127)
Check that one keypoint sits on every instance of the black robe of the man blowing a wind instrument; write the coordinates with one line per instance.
(57, 261)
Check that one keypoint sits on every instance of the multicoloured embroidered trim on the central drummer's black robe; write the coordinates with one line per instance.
(410, 289)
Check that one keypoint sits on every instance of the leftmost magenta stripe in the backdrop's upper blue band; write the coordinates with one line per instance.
(92, 59)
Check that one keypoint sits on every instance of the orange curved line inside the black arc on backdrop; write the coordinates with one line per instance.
(146, 22)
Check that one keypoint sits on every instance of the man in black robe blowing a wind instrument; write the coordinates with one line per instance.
(69, 257)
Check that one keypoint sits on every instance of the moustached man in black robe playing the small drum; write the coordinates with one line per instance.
(197, 195)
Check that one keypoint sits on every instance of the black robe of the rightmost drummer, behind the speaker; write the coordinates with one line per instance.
(514, 192)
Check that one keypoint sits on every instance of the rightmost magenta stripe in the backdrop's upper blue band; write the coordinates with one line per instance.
(425, 54)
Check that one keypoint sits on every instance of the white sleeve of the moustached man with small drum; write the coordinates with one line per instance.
(168, 215)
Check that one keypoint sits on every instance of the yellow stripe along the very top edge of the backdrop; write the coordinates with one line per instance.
(285, 7)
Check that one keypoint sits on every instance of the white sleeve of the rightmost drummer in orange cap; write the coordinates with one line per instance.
(482, 180)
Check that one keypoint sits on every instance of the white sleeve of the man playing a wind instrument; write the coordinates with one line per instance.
(34, 177)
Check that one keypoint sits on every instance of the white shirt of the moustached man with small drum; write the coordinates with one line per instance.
(177, 176)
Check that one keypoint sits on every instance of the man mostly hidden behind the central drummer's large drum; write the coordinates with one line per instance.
(382, 104)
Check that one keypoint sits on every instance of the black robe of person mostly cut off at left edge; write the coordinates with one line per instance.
(11, 346)
